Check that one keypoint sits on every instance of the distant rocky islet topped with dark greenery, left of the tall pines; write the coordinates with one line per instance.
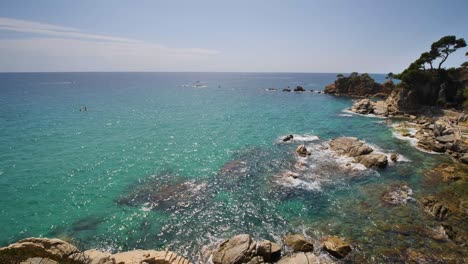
(357, 85)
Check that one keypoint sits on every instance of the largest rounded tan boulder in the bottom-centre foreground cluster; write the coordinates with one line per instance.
(236, 250)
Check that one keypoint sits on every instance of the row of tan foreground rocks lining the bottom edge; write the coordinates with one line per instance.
(295, 248)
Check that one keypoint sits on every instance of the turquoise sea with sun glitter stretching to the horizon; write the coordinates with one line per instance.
(182, 160)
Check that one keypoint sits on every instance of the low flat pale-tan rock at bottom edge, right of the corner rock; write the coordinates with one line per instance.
(148, 256)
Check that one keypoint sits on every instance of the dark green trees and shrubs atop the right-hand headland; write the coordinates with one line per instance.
(433, 84)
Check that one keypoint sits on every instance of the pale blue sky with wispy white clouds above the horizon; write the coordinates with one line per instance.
(375, 36)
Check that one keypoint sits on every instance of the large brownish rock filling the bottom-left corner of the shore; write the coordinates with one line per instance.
(54, 249)
